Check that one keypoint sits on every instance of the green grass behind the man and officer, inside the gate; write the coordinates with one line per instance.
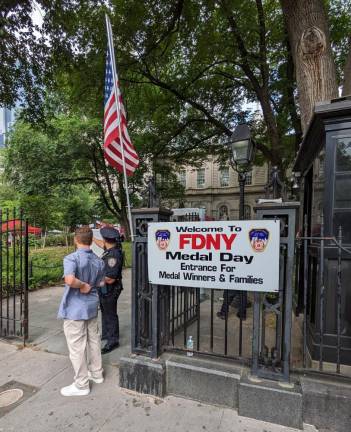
(46, 264)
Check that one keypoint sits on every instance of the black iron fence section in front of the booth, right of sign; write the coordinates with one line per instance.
(323, 296)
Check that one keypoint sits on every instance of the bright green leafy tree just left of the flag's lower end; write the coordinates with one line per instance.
(68, 153)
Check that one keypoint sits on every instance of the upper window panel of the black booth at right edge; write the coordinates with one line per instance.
(342, 191)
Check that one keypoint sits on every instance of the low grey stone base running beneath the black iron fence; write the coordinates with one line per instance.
(312, 400)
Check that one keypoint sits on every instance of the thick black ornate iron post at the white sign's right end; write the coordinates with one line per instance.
(275, 363)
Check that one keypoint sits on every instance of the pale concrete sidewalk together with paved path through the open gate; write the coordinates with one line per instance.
(44, 364)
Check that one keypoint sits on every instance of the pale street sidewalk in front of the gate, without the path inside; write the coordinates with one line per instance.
(108, 408)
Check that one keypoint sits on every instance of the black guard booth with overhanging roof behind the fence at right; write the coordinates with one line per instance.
(324, 162)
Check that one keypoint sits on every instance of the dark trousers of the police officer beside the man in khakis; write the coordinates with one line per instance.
(109, 317)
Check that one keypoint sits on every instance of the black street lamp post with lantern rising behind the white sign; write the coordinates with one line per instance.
(242, 149)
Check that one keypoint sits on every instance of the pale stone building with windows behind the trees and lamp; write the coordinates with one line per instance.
(216, 188)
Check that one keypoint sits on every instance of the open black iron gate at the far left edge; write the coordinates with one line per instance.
(14, 248)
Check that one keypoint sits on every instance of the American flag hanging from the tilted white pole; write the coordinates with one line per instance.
(116, 125)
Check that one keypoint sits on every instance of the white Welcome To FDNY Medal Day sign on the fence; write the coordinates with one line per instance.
(235, 255)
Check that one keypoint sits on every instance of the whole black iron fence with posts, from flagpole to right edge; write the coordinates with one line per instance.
(269, 336)
